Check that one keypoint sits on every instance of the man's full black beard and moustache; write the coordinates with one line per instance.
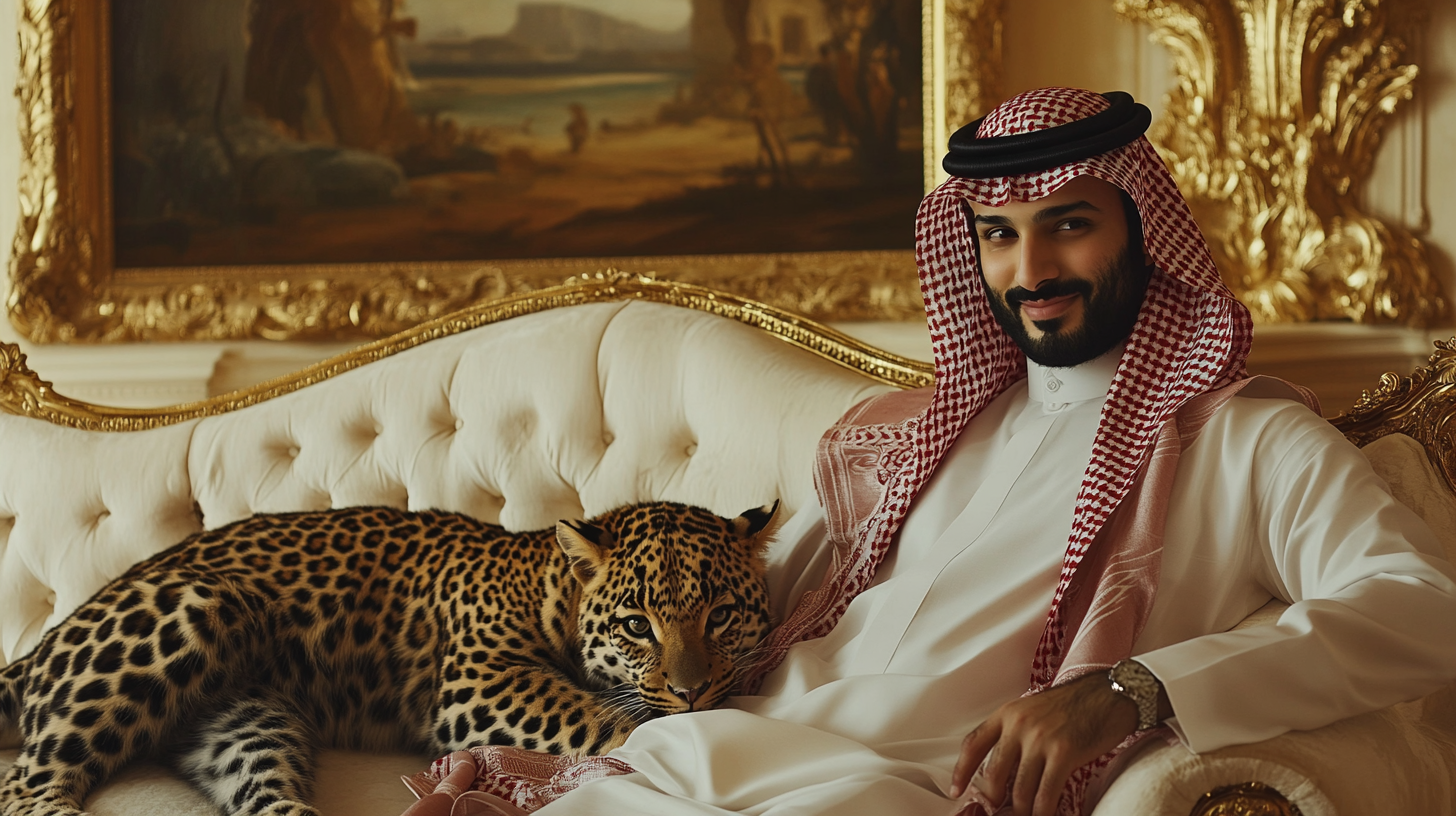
(1110, 307)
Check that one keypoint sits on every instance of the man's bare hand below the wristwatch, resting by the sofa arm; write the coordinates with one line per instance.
(1036, 742)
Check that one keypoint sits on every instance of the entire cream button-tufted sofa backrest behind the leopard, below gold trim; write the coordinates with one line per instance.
(557, 415)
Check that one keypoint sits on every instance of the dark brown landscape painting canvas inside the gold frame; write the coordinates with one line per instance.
(355, 132)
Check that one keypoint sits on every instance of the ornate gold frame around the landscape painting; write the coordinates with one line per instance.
(65, 286)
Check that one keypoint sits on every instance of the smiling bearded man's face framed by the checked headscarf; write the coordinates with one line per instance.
(1064, 276)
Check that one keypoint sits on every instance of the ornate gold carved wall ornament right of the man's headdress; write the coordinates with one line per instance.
(1272, 130)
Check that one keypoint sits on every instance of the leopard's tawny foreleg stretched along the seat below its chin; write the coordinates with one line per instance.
(525, 706)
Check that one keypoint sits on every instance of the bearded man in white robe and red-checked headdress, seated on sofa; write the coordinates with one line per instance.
(1129, 476)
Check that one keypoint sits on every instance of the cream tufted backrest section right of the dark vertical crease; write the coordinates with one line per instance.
(560, 415)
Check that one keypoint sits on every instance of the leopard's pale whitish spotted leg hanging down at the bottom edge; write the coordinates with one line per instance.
(254, 757)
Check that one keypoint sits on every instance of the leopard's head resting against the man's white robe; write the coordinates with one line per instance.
(673, 600)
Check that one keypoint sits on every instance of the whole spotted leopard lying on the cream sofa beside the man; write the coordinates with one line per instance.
(240, 654)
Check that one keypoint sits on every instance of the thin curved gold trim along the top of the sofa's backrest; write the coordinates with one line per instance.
(23, 393)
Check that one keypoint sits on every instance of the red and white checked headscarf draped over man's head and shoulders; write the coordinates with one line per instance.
(1184, 358)
